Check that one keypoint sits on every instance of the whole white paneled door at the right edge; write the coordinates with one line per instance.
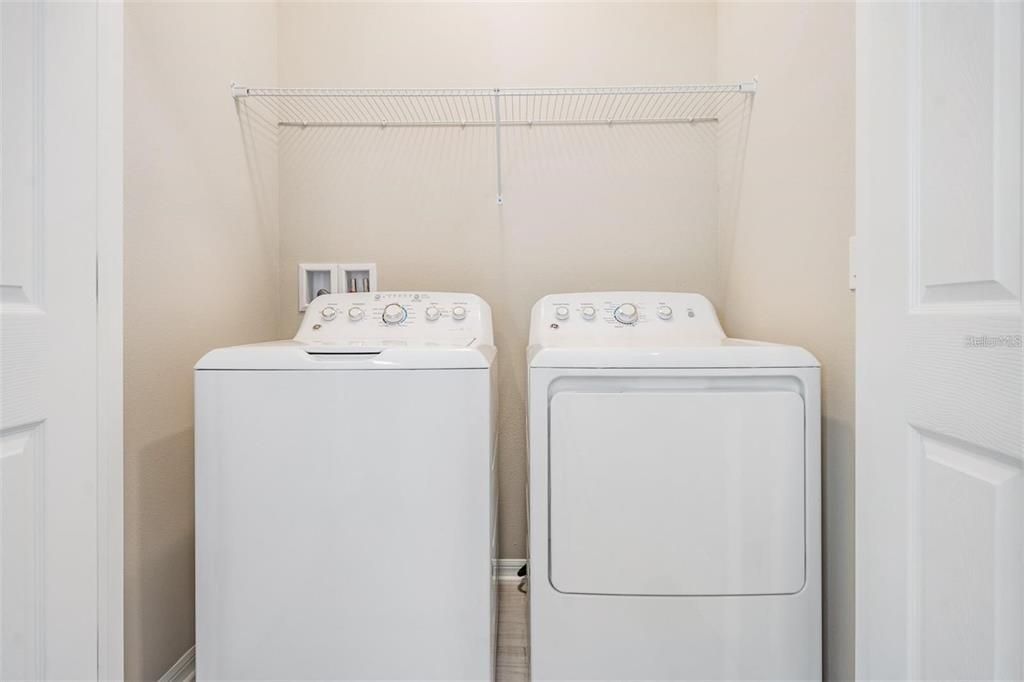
(941, 483)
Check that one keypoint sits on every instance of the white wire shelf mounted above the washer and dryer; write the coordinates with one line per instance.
(498, 108)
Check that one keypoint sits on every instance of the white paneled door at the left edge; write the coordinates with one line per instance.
(49, 523)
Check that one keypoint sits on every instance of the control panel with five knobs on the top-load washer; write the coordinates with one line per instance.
(397, 319)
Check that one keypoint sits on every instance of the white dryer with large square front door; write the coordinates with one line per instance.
(674, 495)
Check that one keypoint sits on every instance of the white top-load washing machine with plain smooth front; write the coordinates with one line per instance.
(346, 498)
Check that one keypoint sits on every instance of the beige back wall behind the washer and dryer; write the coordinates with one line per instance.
(585, 209)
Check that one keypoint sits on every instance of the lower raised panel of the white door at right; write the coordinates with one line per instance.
(966, 503)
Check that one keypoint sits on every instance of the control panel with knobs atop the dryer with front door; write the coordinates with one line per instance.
(630, 319)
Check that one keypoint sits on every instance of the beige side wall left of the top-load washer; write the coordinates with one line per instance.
(201, 271)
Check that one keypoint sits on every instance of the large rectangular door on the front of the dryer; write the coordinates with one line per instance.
(677, 493)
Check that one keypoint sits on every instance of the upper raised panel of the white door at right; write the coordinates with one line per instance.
(978, 141)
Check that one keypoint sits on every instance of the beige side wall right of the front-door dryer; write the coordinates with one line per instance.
(786, 257)
